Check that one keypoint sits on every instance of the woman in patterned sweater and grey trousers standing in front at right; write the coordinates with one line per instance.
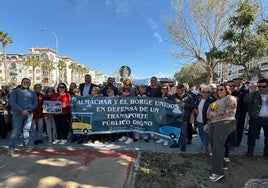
(221, 114)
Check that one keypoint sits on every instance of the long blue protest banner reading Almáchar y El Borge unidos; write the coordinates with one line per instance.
(105, 115)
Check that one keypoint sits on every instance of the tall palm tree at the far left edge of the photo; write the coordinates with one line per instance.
(4, 39)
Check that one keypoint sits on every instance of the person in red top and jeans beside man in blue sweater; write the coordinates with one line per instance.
(38, 121)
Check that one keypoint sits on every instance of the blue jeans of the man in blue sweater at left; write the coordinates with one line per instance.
(20, 123)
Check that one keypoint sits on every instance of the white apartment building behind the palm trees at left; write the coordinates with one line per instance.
(18, 70)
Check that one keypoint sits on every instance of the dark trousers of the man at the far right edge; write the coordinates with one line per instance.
(254, 126)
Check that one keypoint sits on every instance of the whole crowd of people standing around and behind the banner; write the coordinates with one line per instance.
(218, 113)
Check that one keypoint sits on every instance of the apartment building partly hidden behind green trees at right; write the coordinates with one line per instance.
(227, 71)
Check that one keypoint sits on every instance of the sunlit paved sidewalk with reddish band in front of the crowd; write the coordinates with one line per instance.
(87, 165)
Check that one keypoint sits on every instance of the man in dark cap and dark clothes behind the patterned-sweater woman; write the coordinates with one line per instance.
(241, 109)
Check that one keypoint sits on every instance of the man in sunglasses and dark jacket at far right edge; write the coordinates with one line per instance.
(258, 115)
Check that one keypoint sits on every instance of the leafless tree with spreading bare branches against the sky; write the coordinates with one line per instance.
(196, 27)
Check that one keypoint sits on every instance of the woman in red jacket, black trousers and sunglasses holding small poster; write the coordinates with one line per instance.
(62, 119)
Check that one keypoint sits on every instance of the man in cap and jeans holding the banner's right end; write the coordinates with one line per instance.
(185, 101)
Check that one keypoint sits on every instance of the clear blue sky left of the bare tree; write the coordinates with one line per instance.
(101, 34)
